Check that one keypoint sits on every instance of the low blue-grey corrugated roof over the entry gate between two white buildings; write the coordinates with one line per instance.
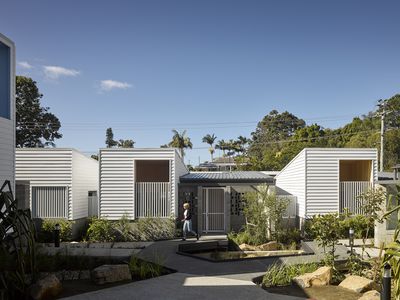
(227, 177)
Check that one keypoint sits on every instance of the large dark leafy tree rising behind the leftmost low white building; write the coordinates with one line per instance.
(35, 125)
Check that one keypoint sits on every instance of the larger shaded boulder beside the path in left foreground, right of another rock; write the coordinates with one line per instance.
(111, 273)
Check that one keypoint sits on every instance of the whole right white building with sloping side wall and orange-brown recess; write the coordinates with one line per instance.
(327, 180)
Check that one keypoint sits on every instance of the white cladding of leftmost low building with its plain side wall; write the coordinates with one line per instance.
(62, 168)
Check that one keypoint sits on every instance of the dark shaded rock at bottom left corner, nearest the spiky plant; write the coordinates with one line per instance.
(47, 288)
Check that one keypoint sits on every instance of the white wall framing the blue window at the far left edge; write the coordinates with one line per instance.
(7, 126)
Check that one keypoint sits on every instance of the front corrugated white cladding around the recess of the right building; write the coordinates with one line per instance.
(323, 176)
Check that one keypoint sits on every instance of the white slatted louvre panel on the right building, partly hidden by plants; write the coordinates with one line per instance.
(349, 191)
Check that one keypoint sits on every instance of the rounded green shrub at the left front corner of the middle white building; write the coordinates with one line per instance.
(100, 230)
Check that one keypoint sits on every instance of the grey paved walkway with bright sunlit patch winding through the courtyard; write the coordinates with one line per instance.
(200, 279)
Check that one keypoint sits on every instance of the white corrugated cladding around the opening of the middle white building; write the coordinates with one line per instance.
(117, 178)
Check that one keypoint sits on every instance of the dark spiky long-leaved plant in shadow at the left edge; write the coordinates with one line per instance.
(17, 248)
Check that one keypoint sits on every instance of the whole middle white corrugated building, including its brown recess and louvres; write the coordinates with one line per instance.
(139, 182)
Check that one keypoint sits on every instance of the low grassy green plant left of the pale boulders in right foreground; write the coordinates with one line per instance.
(281, 275)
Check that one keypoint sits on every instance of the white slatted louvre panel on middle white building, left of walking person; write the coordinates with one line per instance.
(153, 199)
